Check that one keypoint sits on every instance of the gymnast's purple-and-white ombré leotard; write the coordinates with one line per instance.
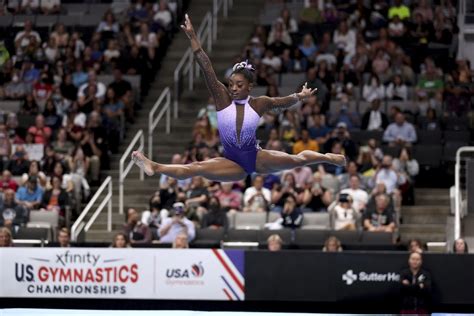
(242, 151)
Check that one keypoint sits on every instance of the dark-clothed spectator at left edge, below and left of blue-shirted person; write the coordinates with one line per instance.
(12, 214)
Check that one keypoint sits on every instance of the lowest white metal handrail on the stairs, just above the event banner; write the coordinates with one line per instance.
(79, 225)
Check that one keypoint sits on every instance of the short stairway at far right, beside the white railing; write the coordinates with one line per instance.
(427, 219)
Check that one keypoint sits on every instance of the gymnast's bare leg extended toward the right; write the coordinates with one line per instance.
(270, 161)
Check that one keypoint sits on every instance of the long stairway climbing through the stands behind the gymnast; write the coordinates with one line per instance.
(231, 38)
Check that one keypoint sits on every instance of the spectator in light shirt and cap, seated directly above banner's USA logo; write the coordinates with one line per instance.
(178, 223)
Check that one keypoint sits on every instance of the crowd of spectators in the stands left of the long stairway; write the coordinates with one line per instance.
(74, 100)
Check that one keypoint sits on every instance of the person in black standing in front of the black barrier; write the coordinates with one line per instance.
(415, 287)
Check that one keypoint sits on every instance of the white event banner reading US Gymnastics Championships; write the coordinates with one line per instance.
(199, 274)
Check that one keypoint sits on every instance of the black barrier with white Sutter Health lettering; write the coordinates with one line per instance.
(358, 277)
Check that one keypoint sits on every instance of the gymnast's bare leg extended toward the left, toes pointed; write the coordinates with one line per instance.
(216, 169)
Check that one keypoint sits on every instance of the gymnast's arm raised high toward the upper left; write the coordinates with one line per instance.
(216, 88)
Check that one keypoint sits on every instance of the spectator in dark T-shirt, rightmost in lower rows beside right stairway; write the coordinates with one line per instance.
(381, 218)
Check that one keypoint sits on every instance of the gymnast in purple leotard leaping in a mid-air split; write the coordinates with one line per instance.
(238, 116)
